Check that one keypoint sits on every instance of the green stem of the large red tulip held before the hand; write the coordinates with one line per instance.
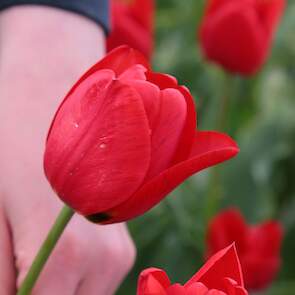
(44, 252)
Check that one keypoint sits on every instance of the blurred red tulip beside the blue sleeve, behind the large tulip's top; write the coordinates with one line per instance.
(133, 25)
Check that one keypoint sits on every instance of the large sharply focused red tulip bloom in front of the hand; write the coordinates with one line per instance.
(124, 137)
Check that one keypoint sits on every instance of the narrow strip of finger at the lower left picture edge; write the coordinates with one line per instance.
(7, 272)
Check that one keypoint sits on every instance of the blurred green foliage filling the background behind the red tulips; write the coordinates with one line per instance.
(260, 181)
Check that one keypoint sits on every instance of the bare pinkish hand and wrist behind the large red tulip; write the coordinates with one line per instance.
(43, 51)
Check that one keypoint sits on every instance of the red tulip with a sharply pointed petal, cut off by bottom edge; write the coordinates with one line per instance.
(221, 275)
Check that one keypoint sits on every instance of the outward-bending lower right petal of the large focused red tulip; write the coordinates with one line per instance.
(210, 148)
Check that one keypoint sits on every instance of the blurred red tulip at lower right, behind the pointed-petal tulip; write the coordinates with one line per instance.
(258, 246)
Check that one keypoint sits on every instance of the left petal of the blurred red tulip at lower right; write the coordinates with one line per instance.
(226, 228)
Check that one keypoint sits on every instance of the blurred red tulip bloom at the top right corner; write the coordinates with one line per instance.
(238, 34)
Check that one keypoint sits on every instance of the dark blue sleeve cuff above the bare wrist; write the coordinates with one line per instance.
(97, 10)
